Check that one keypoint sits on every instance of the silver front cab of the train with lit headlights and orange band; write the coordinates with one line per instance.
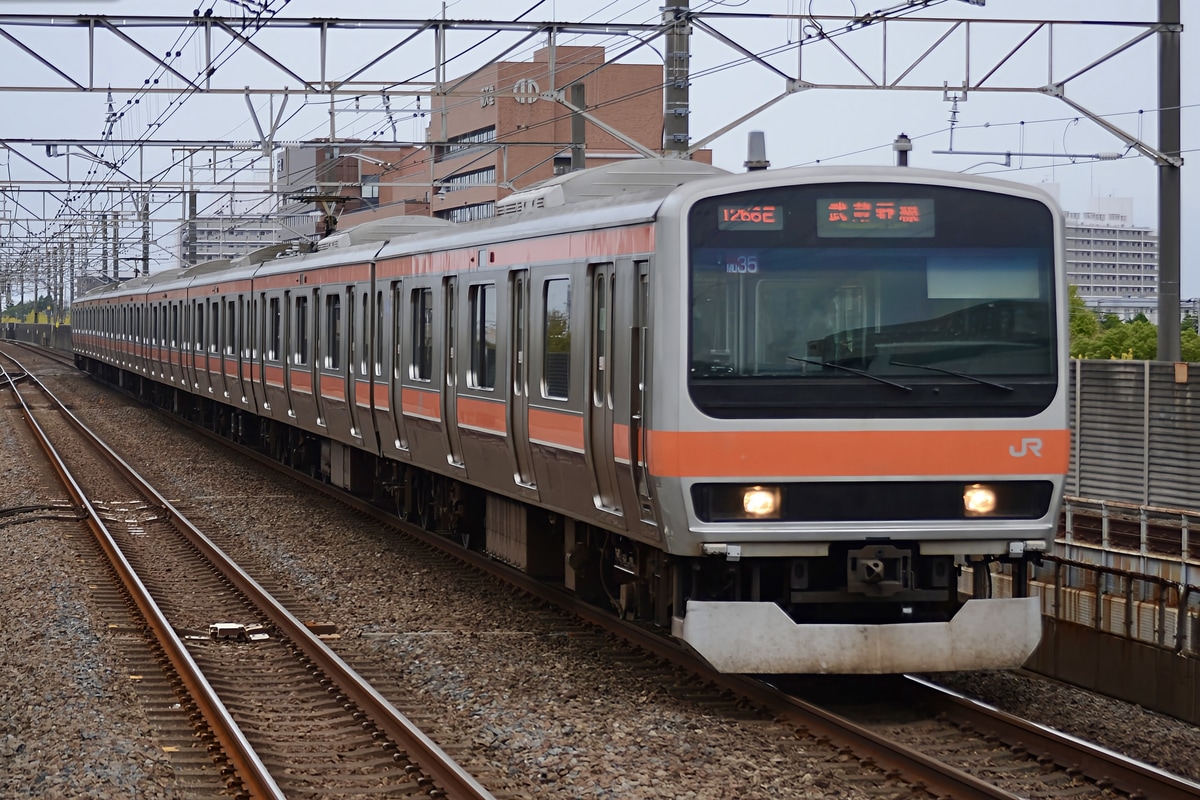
(866, 408)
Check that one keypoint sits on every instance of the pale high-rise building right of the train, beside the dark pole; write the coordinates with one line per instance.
(1108, 257)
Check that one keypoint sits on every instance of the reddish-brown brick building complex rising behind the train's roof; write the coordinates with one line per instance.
(493, 134)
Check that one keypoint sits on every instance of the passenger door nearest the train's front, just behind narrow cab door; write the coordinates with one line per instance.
(601, 406)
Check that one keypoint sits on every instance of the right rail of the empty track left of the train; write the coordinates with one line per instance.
(434, 762)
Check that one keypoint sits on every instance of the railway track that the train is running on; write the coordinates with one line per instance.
(893, 762)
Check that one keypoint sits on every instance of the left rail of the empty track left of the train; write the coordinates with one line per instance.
(255, 777)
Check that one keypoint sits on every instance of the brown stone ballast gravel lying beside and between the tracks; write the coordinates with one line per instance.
(560, 717)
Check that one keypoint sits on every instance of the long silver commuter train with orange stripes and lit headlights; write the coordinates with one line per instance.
(805, 420)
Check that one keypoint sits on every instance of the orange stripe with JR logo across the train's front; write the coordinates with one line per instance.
(857, 454)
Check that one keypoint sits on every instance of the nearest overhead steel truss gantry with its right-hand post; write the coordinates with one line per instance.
(74, 53)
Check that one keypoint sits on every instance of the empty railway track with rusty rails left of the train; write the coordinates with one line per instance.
(280, 713)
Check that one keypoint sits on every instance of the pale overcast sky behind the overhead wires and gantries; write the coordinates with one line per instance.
(827, 127)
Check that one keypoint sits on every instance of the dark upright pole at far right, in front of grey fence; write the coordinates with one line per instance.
(1169, 182)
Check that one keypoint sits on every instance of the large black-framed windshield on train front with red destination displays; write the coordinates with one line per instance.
(891, 299)
